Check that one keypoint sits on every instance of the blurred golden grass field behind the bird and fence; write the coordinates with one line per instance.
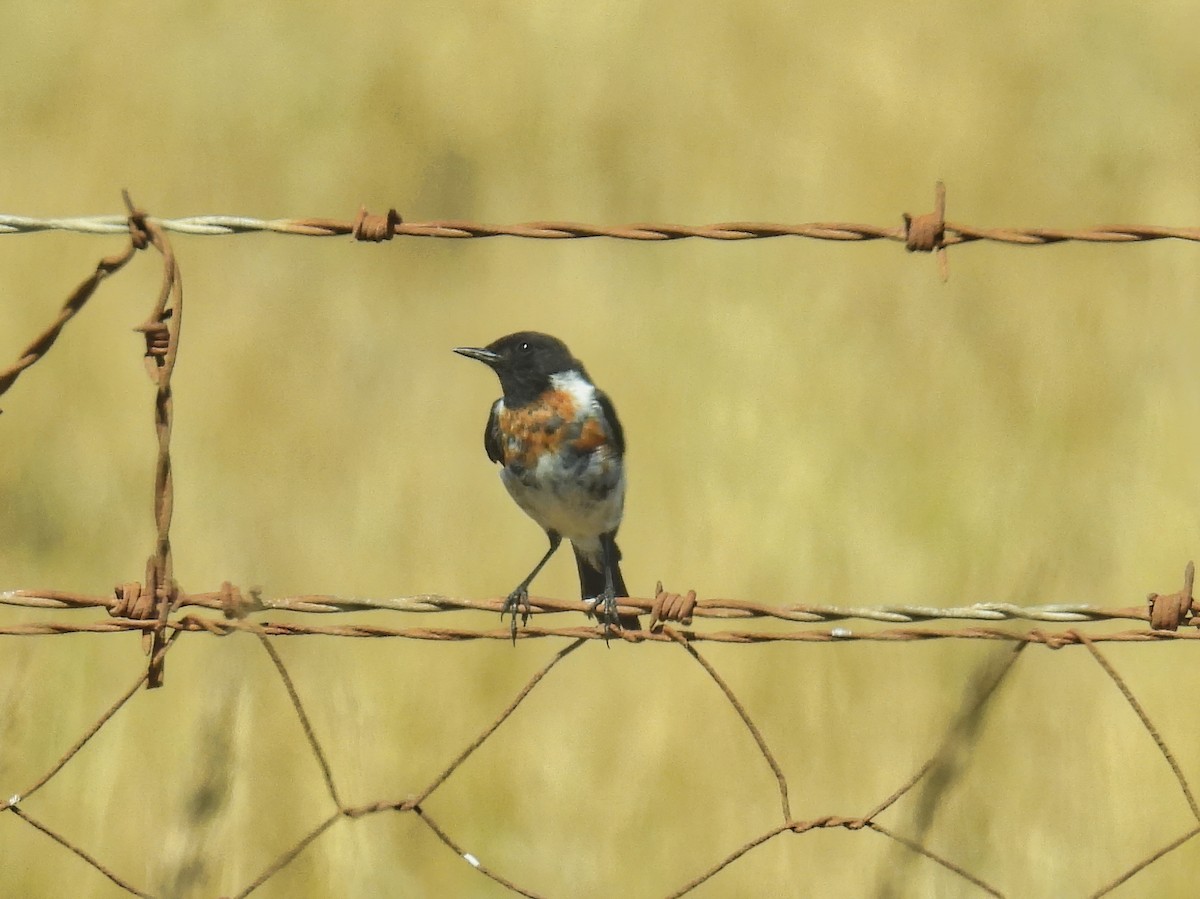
(808, 422)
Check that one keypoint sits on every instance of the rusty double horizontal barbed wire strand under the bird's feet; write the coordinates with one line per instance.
(129, 610)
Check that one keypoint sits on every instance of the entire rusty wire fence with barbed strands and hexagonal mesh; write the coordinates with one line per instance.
(164, 613)
